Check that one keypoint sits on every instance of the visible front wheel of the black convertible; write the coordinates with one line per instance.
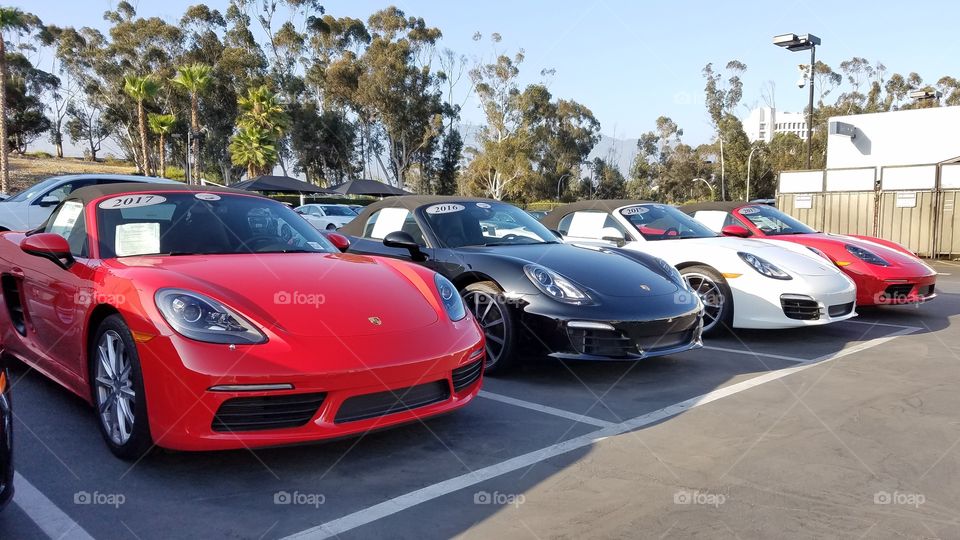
(485, 300)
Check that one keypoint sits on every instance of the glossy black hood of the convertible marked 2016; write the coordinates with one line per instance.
(602, 271)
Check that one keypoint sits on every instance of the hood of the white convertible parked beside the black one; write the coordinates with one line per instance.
(800, 261)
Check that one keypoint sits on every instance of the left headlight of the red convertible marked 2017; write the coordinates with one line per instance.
(202, 318)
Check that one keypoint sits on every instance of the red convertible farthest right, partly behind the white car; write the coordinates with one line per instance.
(885, 272)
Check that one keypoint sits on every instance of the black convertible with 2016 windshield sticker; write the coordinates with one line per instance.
(528, 289)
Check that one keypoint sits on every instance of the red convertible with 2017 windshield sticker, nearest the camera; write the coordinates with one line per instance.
(214, 319)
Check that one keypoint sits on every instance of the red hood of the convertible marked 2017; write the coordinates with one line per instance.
(309, 294)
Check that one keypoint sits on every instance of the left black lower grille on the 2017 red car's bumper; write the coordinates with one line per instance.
(267, 412)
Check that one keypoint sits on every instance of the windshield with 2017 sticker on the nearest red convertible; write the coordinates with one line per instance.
(202, 224)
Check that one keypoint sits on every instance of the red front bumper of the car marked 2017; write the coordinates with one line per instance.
(197, 397)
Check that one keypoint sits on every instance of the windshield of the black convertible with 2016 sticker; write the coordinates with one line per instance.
(459, 224)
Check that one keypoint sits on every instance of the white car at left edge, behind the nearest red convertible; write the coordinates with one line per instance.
(31, 207)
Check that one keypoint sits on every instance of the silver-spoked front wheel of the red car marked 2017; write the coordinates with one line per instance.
(118, 398)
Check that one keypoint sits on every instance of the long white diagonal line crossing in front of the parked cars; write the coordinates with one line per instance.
(414, 498)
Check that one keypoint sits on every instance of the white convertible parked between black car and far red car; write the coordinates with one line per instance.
(743, 283)
